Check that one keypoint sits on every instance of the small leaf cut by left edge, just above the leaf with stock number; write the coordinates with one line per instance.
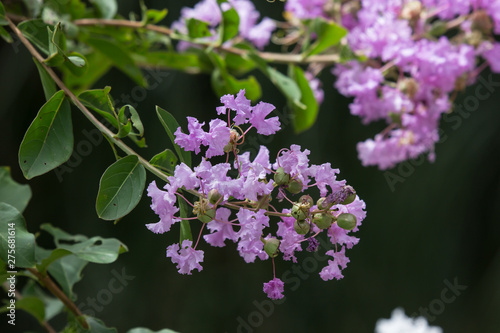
(12, 192)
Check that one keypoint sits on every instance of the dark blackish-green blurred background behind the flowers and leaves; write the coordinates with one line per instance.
(429, 226)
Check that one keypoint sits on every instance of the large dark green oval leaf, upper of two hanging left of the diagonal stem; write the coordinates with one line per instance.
(48, 142)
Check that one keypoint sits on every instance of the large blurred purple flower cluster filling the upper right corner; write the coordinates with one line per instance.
(419, 55)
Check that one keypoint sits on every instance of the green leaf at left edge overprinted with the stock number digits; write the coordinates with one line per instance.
(13, 224)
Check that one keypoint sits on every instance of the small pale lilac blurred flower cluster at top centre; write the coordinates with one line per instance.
(258, 33)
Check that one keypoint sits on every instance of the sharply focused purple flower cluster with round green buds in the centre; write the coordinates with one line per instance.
(235, 200)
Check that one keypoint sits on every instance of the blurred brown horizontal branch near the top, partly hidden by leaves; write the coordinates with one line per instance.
(268, 56)
